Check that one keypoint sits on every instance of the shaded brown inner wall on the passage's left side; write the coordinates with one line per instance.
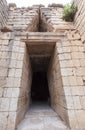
(25, 86)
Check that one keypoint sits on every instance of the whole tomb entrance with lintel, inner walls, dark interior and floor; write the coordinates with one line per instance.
(41, 83)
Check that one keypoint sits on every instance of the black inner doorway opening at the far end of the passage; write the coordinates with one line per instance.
(39, 89)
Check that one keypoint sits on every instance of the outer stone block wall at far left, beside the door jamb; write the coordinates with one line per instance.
(5, 54)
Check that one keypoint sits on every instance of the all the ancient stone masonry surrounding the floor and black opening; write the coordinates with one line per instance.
(37, 39)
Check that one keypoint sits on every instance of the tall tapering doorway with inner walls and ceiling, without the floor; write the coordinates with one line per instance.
(42, 63)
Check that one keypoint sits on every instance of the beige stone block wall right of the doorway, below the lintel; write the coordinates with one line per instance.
(71, 55)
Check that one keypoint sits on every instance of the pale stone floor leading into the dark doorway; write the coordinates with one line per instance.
(41, 117)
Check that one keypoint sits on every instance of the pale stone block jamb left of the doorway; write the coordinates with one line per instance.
(12, 90)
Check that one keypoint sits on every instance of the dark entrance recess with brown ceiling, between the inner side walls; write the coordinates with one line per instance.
(40, 56)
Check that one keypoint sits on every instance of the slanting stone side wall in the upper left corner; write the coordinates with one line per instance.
(3, 13)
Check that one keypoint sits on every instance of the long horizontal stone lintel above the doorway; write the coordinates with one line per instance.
(48, 37)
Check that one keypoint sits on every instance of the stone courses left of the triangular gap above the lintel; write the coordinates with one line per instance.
(23, 19)
